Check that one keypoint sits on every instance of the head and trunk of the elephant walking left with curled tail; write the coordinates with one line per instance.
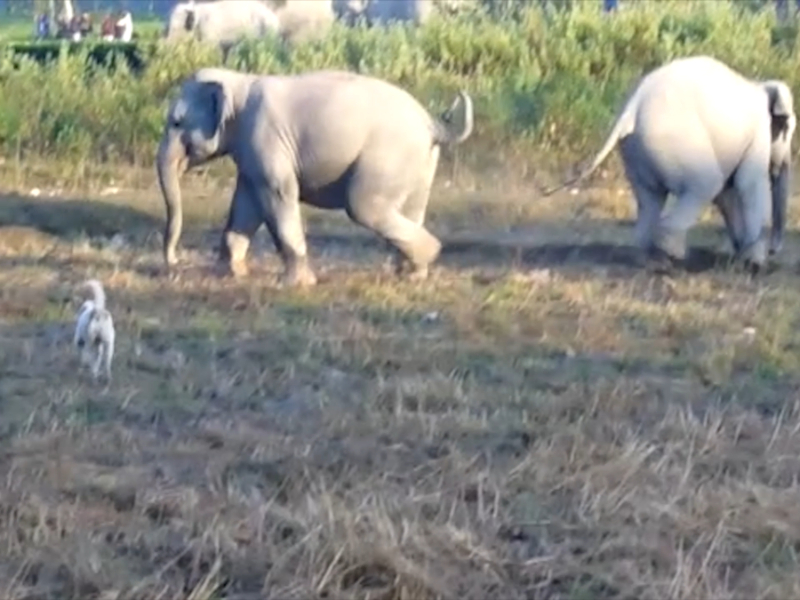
(197, 130)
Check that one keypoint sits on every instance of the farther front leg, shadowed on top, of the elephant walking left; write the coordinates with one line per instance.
(244, 219)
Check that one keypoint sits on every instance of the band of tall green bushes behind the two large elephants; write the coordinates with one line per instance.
(552, 78)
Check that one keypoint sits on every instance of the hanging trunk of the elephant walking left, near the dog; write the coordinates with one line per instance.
(171, 163)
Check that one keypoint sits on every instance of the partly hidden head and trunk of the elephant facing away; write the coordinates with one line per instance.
(783, 122)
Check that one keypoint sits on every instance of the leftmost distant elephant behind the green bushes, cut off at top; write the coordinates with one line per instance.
(223, 22)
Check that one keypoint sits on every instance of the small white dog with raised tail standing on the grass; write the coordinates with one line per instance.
(94, 331)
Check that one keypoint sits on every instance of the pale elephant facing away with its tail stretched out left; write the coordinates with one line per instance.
(701, 131)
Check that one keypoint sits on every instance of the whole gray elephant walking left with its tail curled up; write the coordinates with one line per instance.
(333, 140)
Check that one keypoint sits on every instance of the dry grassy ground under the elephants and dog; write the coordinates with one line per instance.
(541, 419)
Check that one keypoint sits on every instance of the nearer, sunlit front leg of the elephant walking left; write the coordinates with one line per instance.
(281, 212)
